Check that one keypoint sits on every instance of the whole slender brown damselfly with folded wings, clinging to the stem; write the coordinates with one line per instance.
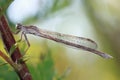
(85, 44)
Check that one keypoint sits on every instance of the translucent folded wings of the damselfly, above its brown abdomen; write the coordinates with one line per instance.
(69, 38)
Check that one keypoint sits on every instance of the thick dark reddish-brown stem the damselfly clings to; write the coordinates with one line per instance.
(9, 41)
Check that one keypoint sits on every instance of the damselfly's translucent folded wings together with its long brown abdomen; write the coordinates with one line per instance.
(74, 41)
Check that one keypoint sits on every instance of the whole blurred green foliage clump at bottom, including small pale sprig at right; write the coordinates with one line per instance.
(45, 70)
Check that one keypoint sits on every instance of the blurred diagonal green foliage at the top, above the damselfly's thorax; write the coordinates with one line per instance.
(46, 12)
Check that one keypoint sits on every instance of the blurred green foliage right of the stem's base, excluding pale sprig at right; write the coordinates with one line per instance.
(45, 69)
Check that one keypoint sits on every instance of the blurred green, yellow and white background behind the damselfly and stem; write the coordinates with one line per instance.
(98, 20)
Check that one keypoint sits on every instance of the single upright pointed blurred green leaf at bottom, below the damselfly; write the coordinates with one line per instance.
(47, 67)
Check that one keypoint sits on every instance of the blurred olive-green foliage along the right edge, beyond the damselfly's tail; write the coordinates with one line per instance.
(105, 16)
